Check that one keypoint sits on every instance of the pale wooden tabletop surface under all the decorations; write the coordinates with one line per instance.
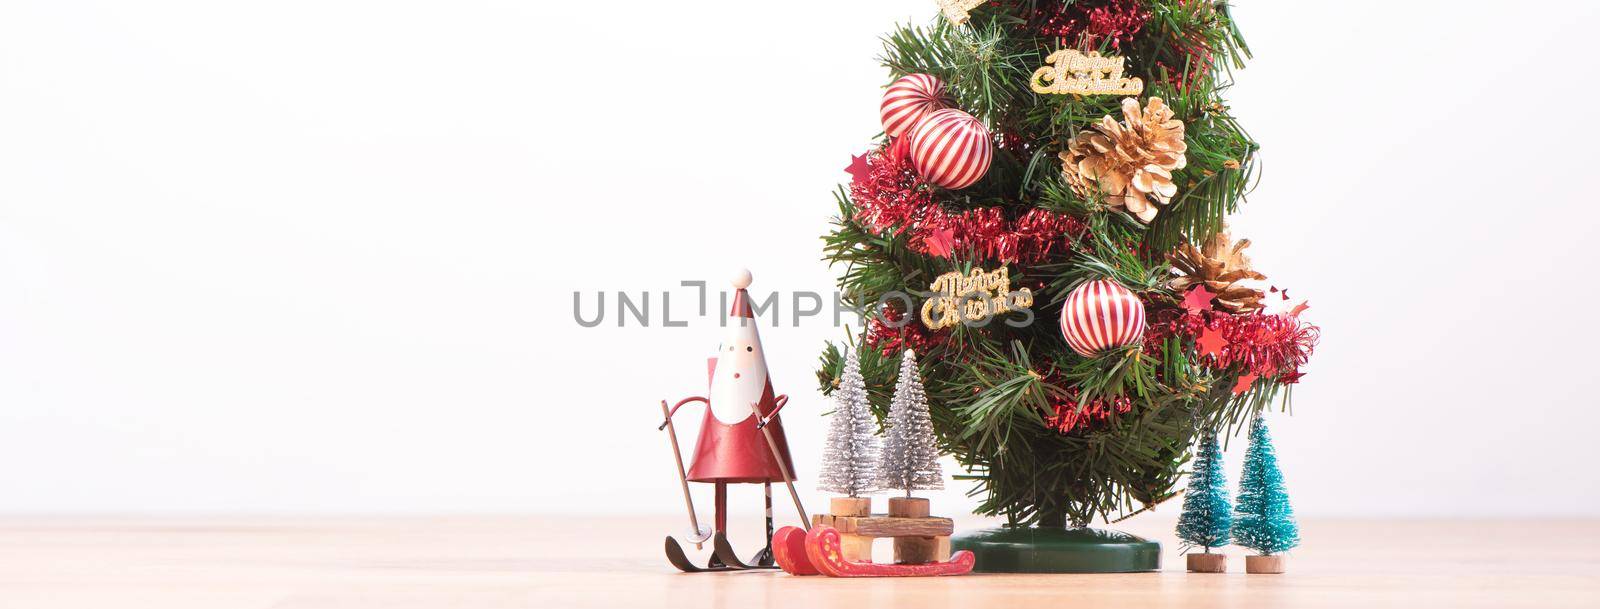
(535, 562)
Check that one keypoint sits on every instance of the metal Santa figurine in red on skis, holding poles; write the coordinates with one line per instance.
(742, 439)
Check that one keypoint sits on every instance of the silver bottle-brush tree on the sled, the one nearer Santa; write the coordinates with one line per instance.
(850, 455)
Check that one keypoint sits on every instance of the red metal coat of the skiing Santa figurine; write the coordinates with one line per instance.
(738, 453)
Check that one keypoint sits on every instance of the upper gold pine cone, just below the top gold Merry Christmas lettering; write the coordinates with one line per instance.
(1132, 162)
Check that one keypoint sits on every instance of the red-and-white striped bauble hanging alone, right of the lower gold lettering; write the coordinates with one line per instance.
(1100, 316)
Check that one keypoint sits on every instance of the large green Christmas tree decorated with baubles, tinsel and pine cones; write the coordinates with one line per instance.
(1070, 143)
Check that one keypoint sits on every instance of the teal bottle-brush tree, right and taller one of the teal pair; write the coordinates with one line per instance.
(1265, 522)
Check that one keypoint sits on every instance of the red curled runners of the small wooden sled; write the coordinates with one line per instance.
(820, 552)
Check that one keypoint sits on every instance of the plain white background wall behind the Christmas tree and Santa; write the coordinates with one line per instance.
(319, 257)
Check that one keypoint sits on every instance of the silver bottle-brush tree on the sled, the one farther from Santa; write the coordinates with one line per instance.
(911, 461)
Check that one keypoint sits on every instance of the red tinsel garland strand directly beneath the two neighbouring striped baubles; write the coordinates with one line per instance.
(895, 199)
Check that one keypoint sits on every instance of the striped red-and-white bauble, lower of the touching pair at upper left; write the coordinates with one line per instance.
(951, 149)
